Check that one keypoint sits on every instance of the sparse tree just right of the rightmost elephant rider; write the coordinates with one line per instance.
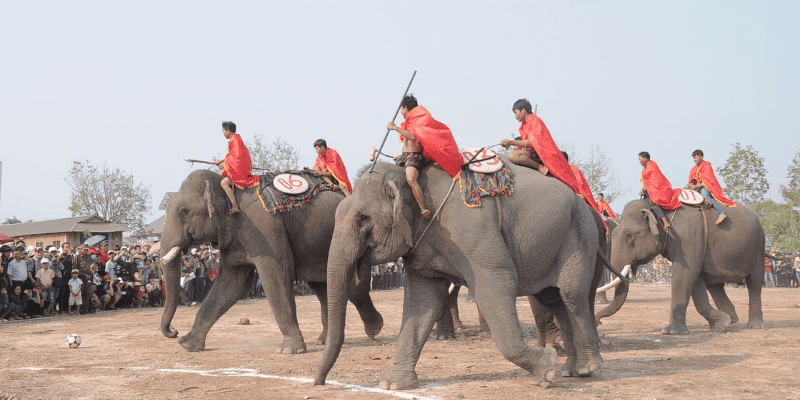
(745, 175)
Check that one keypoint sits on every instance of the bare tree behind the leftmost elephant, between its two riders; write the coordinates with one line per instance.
(277, 156)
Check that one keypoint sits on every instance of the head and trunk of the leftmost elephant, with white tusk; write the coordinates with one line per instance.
(195, 215)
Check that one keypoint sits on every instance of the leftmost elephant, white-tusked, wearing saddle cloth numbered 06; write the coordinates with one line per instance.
(284, 247)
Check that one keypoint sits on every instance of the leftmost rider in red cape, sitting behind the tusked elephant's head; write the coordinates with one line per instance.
(237, 167)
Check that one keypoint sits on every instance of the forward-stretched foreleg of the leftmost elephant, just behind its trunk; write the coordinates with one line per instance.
(230, 285)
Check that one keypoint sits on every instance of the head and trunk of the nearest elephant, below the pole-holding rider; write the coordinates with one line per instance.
(373, 226)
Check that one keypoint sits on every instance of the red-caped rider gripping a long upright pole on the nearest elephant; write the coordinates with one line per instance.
(424, 139)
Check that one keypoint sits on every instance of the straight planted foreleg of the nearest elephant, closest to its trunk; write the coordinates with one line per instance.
(423, 304)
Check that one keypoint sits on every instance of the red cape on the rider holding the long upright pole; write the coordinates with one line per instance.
(437, 141)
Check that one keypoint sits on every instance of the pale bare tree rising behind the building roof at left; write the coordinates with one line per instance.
(110, 194)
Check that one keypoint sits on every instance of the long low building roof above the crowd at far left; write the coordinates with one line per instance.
(92, 223)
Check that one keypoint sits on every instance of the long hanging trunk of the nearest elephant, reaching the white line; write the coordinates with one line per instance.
(341, 269)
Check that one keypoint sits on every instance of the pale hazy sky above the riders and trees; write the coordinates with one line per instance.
(143, 85)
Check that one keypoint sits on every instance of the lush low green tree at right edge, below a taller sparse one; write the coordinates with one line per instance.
(780, 221)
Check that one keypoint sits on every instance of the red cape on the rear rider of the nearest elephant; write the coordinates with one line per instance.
(535, 132)
